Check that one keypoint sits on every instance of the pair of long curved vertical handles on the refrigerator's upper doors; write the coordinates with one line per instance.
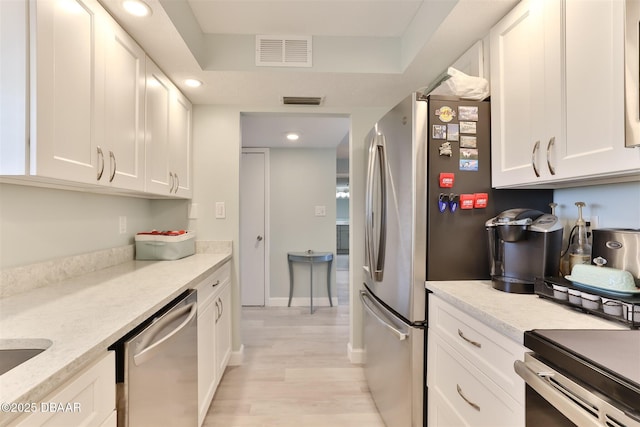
(377, 158)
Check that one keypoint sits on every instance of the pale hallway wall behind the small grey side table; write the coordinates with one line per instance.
(301, 179)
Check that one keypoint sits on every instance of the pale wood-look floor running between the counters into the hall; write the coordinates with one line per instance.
(295, 373)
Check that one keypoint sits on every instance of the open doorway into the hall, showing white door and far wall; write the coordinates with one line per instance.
(301, 205)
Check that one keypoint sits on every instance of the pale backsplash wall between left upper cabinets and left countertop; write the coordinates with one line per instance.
(38, 224)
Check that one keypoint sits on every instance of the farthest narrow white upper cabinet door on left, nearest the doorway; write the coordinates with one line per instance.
(180, 144)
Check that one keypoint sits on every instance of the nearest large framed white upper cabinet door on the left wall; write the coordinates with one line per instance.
(68, 90)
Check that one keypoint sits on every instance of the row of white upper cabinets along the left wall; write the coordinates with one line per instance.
(75, 114)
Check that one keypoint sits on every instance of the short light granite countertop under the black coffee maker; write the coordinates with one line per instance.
(513, 314)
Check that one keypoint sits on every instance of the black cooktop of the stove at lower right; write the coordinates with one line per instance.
(606, 360)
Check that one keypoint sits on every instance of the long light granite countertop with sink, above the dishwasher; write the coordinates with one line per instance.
(84, 315)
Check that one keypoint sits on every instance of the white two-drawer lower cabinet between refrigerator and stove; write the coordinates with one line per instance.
(470, 372)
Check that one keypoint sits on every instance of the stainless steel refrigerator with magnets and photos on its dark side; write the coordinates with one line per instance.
(428, 197)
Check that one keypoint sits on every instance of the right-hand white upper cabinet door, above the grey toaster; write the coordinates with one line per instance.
(594, 85)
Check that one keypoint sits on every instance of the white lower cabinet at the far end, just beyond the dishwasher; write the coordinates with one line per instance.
(214, 334)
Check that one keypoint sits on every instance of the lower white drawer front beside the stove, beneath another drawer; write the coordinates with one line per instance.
(459, 391)
